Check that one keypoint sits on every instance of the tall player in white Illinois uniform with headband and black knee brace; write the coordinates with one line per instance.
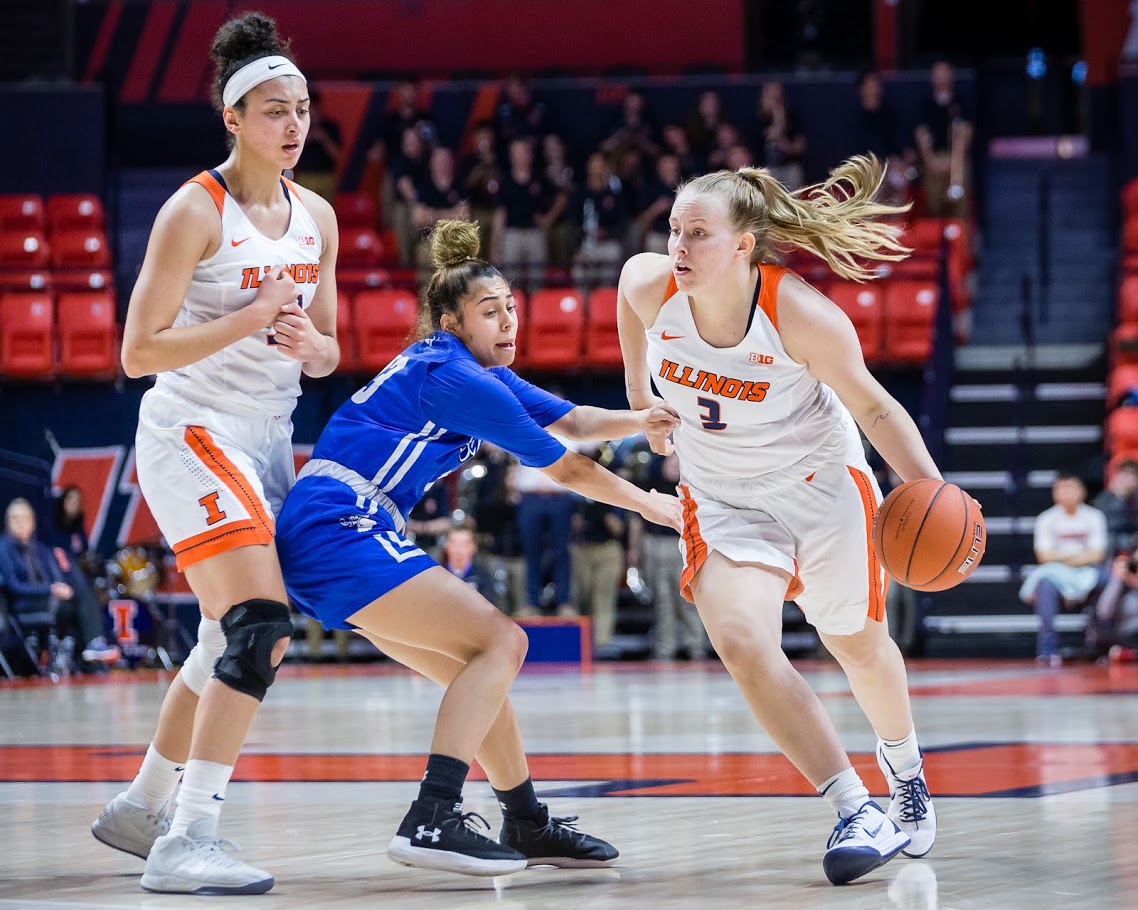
(236, 297)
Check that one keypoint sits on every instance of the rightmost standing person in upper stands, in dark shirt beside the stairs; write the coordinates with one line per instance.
(944, 139)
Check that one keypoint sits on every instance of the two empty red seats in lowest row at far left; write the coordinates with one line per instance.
(75, 334)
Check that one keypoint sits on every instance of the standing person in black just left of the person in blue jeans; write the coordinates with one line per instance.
(496, 512)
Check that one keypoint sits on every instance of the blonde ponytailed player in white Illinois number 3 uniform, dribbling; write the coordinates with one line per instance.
(769, 380)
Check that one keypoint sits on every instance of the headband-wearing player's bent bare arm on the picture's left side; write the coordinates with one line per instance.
(186, 231)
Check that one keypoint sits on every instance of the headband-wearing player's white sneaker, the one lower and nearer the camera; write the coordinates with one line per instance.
(199, 863)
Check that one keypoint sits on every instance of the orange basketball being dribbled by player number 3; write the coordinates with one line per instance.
(930, 535)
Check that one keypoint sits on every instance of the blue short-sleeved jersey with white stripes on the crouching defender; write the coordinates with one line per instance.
(427, 412)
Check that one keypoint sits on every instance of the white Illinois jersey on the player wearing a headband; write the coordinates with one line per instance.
(251, 376)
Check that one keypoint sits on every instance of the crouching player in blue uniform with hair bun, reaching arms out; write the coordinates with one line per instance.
(349, 565)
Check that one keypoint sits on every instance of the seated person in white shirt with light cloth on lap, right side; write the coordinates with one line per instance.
(1070, 543)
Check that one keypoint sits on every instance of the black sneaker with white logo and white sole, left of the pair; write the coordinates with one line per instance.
(439, 835)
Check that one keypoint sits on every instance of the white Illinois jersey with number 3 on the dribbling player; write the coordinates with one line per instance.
(751, 415)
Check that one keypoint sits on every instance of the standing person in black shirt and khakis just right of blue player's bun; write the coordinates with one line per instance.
(529, 206)
